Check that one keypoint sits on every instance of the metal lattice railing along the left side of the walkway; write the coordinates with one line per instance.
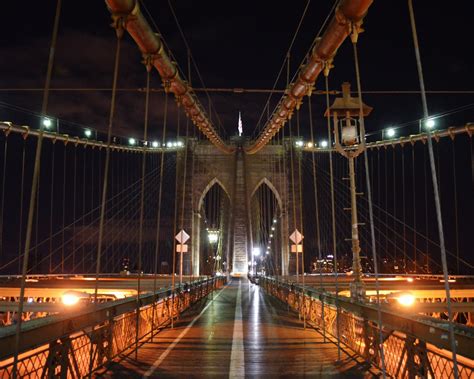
(73, 346)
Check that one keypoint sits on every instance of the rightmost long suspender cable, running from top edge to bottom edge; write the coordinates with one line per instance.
(435, 191)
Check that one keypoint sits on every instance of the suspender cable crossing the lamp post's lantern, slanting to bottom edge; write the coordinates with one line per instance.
(369, 199)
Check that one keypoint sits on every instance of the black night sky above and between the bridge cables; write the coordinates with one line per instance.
(235, 44)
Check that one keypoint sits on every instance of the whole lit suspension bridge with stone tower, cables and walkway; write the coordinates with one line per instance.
(199, 253)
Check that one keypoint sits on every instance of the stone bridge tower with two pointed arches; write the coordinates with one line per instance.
(239, 175)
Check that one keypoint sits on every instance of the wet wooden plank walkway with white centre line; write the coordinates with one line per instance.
(238, 332)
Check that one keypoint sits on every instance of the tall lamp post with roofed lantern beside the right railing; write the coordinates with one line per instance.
(349, 141)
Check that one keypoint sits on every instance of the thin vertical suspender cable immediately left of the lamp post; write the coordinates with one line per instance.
(333, 212)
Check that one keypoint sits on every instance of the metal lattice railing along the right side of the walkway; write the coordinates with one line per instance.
(413, 346)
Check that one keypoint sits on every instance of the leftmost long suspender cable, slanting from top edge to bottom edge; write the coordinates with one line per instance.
(34, 185)
